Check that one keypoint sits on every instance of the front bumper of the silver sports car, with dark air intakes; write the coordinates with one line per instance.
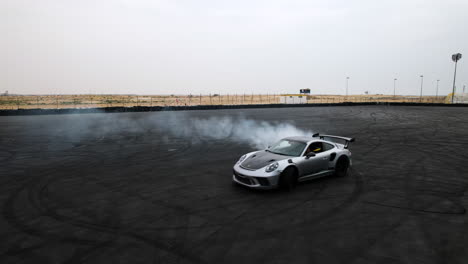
(256, 179)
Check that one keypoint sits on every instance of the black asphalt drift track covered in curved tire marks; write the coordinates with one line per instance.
(115, 188)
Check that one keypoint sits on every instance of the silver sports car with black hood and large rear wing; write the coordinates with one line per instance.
(292, 160)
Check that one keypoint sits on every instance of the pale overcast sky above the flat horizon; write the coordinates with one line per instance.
(220, 46)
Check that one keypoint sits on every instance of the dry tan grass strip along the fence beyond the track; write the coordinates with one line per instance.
(97, 101)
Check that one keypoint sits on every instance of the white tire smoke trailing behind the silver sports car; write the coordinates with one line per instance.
(256, 133)
